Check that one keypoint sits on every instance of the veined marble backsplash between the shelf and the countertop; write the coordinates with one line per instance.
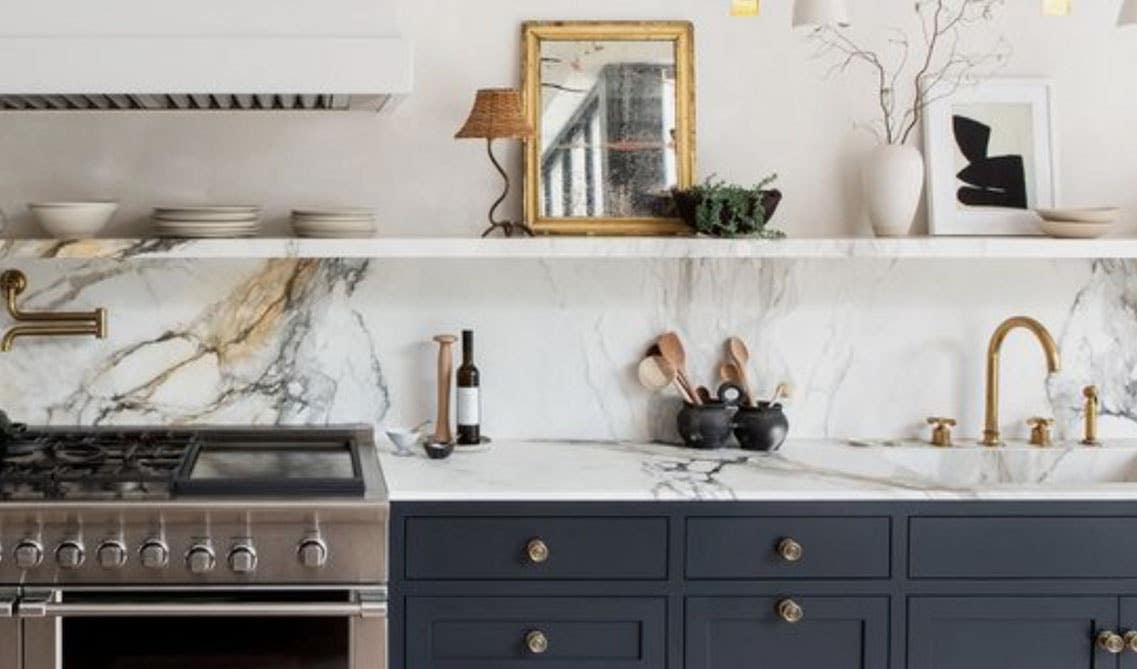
(872, 346)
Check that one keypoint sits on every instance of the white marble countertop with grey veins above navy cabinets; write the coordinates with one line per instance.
(803, 470)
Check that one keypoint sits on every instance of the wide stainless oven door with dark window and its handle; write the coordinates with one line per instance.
(261, 629)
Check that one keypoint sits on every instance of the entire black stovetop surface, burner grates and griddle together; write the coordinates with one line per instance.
(161, 465)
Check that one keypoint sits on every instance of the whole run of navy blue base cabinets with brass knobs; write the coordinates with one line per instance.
(702, 585)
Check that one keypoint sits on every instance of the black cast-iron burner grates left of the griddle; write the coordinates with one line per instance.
(93, 466)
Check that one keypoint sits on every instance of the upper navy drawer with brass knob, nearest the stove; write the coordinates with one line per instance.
(497, 549)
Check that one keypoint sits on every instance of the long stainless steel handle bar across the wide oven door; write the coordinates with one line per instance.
(53, 608)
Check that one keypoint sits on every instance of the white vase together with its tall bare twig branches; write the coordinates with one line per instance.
(894, 172)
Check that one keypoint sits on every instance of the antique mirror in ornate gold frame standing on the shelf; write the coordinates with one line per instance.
(613, 110)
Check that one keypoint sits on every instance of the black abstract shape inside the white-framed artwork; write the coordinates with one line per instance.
(993, 181)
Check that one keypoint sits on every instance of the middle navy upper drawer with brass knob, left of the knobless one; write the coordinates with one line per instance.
(751, 548)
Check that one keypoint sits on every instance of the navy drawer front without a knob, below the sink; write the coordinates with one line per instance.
(1024, 548)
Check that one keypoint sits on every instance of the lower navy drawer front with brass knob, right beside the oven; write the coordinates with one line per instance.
(491, 633)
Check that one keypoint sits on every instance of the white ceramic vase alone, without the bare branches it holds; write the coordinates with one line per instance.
(893, 183)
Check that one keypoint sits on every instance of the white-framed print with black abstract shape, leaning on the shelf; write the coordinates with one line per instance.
(992, 159)
